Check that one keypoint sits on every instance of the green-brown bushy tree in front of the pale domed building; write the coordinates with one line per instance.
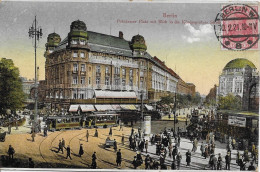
(230, 102)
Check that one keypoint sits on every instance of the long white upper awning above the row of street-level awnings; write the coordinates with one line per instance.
(115, 94)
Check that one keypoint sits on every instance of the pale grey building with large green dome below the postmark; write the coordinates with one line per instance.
(240, 78)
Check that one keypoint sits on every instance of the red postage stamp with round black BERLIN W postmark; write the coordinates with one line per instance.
(236, 27)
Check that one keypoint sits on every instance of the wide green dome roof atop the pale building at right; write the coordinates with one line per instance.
(239, 63)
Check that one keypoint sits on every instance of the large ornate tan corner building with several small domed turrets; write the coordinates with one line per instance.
(89, 67)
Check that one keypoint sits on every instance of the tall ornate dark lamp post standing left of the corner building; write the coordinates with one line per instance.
(35, 33)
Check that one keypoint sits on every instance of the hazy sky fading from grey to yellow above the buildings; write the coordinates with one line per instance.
(189, 47)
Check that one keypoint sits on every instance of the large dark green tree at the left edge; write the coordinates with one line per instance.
(11, 92)
